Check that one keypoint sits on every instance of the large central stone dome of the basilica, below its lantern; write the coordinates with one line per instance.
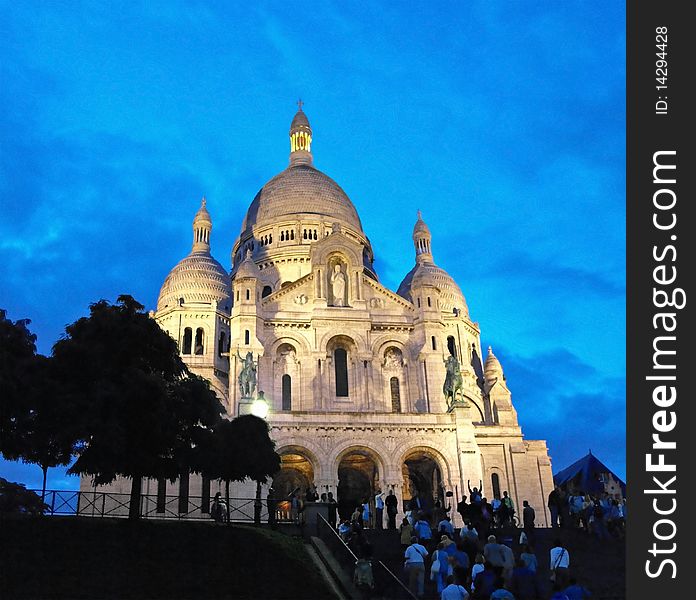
(301, 190)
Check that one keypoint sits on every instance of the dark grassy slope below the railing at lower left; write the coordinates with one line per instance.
(101, 558)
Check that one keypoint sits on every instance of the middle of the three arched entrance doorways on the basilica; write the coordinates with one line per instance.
(358, 477)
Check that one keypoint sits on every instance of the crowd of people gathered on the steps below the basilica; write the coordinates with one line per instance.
(477, 562)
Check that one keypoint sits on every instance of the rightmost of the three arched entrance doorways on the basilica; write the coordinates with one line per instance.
(423, 481)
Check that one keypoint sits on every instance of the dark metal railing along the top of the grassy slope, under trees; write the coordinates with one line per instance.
(109, 504)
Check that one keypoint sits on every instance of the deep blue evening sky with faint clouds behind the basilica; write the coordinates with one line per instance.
(504, 122)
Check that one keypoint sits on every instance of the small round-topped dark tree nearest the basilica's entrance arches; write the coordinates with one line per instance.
(241, 448)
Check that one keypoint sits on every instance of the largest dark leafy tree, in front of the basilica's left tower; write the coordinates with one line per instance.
(141, 409)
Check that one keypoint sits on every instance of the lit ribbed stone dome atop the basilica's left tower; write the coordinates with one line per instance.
(197, 278)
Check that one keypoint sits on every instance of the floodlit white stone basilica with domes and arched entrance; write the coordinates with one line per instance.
(367, 388)
